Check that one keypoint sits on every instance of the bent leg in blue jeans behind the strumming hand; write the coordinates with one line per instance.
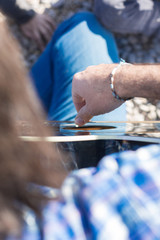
(79, 42)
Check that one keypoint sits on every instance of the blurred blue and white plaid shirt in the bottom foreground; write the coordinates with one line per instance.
(118, 200)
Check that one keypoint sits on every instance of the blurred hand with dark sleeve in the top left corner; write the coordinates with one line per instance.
(38, 27)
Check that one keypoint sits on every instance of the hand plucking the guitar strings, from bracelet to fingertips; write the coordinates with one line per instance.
(92, 94)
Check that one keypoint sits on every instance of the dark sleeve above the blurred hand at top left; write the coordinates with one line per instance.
(12, 9)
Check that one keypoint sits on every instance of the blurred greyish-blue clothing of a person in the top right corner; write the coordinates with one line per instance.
(129, 16)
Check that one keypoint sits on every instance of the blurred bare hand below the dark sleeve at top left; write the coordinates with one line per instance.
(40, 29)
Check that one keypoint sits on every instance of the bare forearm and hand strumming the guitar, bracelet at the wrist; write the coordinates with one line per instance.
(92, 93)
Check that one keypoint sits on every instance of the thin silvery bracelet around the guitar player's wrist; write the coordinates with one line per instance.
(122, 62)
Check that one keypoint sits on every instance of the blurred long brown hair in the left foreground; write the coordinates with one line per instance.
(21, 162)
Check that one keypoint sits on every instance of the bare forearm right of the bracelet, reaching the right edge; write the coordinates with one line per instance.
(138, 80)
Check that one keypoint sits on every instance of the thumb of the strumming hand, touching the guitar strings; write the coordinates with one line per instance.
(83, 116)
